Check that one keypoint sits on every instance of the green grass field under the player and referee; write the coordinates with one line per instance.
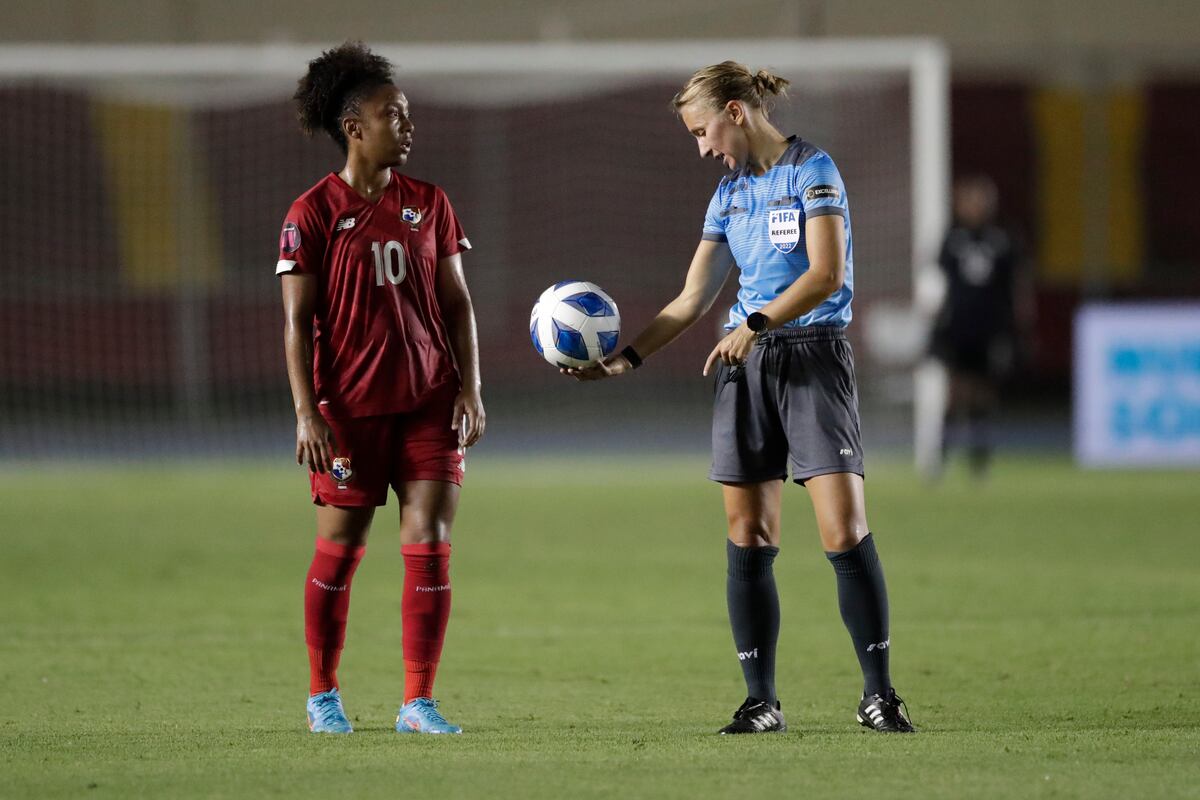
(1045, 634)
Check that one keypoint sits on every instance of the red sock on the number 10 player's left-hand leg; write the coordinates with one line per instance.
(327, 604)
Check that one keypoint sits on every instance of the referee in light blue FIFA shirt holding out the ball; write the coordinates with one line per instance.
(785, 381)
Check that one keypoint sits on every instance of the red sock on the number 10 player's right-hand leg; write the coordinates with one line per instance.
(425, 611)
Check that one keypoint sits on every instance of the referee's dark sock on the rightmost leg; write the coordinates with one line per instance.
(863, 600)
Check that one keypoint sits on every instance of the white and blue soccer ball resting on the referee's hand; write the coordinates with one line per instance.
(574, 324)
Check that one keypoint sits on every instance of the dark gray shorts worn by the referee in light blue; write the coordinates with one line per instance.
(794, 404)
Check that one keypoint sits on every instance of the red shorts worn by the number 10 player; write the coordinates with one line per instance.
(374, 453)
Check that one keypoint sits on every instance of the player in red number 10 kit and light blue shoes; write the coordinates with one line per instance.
(383, 360)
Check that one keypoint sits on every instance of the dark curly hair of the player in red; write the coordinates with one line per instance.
(335, 86)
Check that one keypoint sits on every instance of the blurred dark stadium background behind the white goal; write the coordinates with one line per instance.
(91, 354)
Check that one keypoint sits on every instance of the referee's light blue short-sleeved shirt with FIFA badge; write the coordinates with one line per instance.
(763, 219)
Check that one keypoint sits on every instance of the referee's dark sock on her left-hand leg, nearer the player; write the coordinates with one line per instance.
(754, 616)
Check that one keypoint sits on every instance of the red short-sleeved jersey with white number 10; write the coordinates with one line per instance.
(381, 346)
